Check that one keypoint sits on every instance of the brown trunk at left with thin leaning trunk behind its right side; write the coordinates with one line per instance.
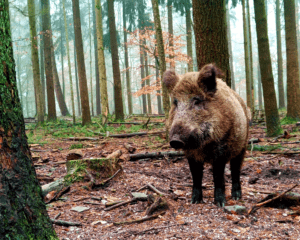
(48, 61)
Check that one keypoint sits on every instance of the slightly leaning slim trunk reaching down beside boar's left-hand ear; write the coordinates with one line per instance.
(161, 56)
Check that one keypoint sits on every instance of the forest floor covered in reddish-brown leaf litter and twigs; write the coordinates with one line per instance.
(270, 166)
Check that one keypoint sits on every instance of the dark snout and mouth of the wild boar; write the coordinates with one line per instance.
(183, 138)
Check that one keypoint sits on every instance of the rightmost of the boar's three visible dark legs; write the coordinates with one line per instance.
(235, 166)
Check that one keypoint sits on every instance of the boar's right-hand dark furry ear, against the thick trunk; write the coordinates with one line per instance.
(207, 78)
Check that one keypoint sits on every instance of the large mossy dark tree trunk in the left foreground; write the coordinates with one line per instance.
(23, 213)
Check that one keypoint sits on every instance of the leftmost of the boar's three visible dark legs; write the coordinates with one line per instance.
(196, 168)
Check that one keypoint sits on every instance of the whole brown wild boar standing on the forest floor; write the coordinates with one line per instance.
(210, 122)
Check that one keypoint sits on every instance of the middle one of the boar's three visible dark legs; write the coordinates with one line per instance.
(218, 174)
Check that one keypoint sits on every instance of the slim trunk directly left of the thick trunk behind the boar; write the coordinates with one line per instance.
(189, 44)
